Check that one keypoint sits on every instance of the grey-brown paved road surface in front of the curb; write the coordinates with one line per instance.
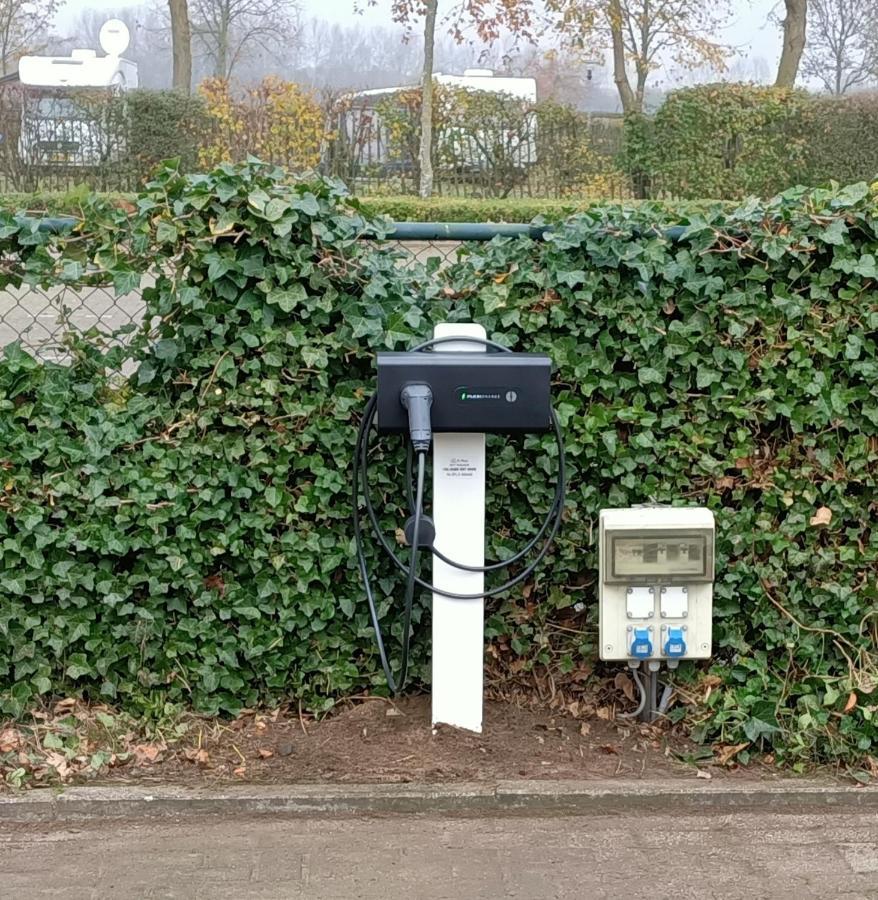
(749, 855)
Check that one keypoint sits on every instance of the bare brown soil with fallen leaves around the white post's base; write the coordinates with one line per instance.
(379, 741)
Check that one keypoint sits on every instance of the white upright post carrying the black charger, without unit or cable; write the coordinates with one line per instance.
(459, 517)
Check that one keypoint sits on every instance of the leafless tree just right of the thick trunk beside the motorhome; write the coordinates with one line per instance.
(228, 29)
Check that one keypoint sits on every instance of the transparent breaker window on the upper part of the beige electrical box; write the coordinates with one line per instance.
(659, 555)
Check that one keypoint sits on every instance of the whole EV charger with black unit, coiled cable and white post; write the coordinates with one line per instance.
(449, 392)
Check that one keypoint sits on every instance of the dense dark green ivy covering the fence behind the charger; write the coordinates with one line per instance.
(184, 535)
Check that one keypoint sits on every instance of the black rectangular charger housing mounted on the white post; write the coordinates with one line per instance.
(499, 393)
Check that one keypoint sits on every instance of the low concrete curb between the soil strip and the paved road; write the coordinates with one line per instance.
(599, 797)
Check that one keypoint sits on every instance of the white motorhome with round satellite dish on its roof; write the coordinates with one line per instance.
(65, 119)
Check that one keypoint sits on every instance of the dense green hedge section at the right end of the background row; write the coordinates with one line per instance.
(731, 140)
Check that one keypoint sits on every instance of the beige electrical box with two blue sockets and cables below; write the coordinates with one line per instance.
(656, 572)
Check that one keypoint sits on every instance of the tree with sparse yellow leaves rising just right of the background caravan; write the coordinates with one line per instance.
(644, 34)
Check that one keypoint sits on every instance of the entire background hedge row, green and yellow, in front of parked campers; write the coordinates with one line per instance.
(720, 141)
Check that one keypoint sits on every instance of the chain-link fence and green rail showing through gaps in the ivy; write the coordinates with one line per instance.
(40, 317)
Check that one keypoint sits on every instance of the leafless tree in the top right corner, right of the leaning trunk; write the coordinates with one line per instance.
(840, 52)
